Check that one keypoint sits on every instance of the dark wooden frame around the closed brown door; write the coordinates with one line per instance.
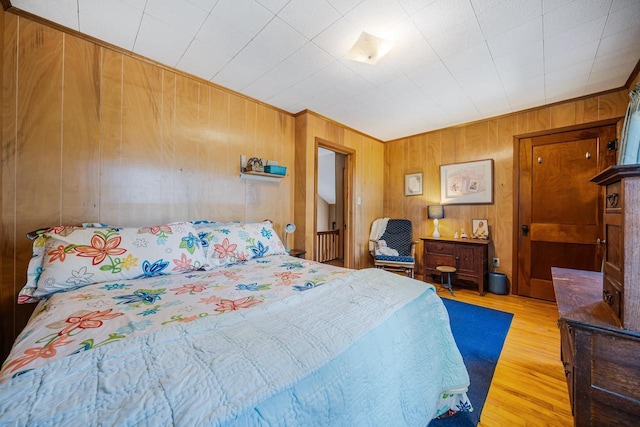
(516, 183)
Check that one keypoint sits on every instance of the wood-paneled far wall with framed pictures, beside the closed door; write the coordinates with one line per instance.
(489, 139)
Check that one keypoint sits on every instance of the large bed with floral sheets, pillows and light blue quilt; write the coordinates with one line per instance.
(214, 324)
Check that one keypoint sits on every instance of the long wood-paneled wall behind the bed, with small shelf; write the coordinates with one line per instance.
(92, 134)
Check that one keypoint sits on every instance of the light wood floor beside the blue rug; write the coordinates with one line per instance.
(529, 386)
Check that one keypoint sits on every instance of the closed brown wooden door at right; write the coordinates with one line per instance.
(560, 211)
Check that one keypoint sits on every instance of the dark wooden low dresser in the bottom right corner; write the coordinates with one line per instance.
(600, 359)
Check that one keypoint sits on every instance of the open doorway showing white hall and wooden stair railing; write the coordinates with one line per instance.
(332, 204)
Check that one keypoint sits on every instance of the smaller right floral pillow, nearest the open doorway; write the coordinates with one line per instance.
(230, 243)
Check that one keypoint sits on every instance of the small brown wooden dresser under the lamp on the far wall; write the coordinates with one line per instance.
(469, 256)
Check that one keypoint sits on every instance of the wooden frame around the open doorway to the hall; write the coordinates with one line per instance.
(349, 208)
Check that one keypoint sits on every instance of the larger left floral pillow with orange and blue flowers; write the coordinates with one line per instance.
(75, 257)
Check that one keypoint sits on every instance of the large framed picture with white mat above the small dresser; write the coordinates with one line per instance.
(467, 183)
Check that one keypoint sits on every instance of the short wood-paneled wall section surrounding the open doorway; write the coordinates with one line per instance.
(368, 180)
